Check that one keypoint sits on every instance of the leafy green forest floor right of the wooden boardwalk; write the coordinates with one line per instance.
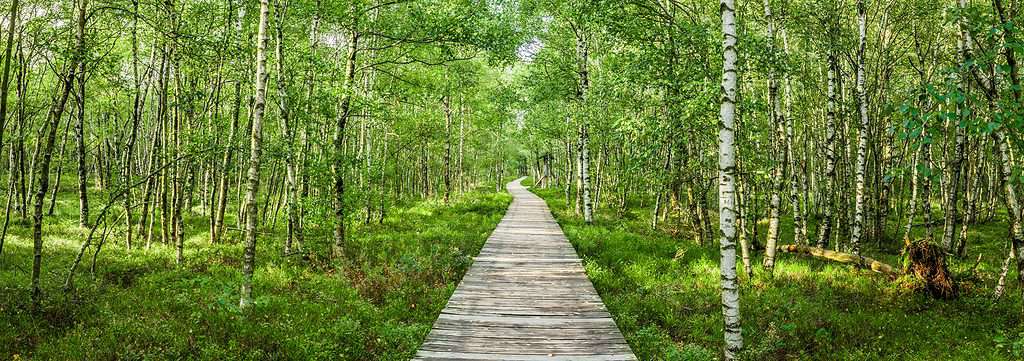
(664, 294)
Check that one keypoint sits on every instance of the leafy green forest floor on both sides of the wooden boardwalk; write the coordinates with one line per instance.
(380, 303)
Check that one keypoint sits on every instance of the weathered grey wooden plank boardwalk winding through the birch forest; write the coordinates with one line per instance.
(526, 298)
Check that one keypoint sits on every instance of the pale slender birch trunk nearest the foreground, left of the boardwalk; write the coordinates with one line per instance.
(254, 159)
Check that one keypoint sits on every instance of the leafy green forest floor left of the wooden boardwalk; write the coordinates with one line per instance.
(378, 304)
